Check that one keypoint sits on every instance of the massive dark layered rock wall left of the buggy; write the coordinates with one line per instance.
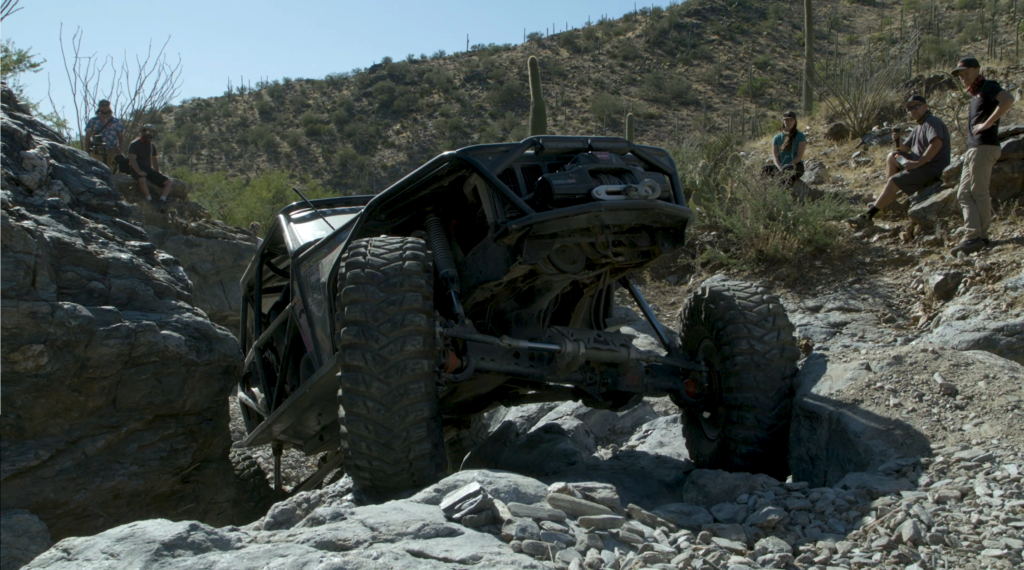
(114, 384)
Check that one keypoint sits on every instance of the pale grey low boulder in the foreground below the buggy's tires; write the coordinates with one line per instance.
(400, 536)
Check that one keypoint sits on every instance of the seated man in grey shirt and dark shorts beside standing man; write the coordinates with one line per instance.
(917, 163)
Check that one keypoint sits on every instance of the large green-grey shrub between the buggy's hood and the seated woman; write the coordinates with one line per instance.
(759, 224)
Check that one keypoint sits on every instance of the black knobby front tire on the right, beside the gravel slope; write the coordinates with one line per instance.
(741, 331)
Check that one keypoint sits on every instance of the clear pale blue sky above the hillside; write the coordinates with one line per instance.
(298, 39)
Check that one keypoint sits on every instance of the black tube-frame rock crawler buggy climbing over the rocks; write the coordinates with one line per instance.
(487, 278)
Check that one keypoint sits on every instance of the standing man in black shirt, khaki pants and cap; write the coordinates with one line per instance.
(990, 102)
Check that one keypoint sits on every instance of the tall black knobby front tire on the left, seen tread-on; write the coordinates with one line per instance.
(392, 430)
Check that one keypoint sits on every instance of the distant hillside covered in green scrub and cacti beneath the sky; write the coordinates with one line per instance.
(703, 66)
